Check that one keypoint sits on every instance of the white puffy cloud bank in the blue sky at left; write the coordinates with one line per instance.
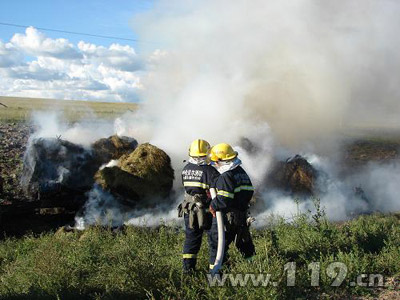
(62, 70)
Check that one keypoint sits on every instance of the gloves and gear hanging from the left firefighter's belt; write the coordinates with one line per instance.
(194, 206)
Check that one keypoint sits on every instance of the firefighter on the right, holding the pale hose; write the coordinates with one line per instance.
(234, 192)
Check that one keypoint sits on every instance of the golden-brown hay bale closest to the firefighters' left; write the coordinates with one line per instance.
(146, 173)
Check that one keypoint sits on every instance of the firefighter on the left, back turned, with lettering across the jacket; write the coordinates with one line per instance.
(198, 178)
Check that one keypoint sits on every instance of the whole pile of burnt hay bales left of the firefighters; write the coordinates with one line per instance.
(60, 173)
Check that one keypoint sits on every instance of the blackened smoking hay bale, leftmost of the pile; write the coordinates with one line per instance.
(54, 166)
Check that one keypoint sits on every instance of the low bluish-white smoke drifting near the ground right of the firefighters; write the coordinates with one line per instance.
(377, 185)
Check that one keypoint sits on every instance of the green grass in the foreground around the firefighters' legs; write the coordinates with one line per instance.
(140, 263)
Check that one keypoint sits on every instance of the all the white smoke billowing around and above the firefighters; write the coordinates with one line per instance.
(291, 76)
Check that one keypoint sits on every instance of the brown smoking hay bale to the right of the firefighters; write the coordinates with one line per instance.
(296, 176)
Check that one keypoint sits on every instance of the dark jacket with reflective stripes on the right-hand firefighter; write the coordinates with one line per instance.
(234, 191)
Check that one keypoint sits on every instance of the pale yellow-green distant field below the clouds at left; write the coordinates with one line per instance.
(19, 109)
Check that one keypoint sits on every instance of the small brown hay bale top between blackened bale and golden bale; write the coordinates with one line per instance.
(113, 147)
